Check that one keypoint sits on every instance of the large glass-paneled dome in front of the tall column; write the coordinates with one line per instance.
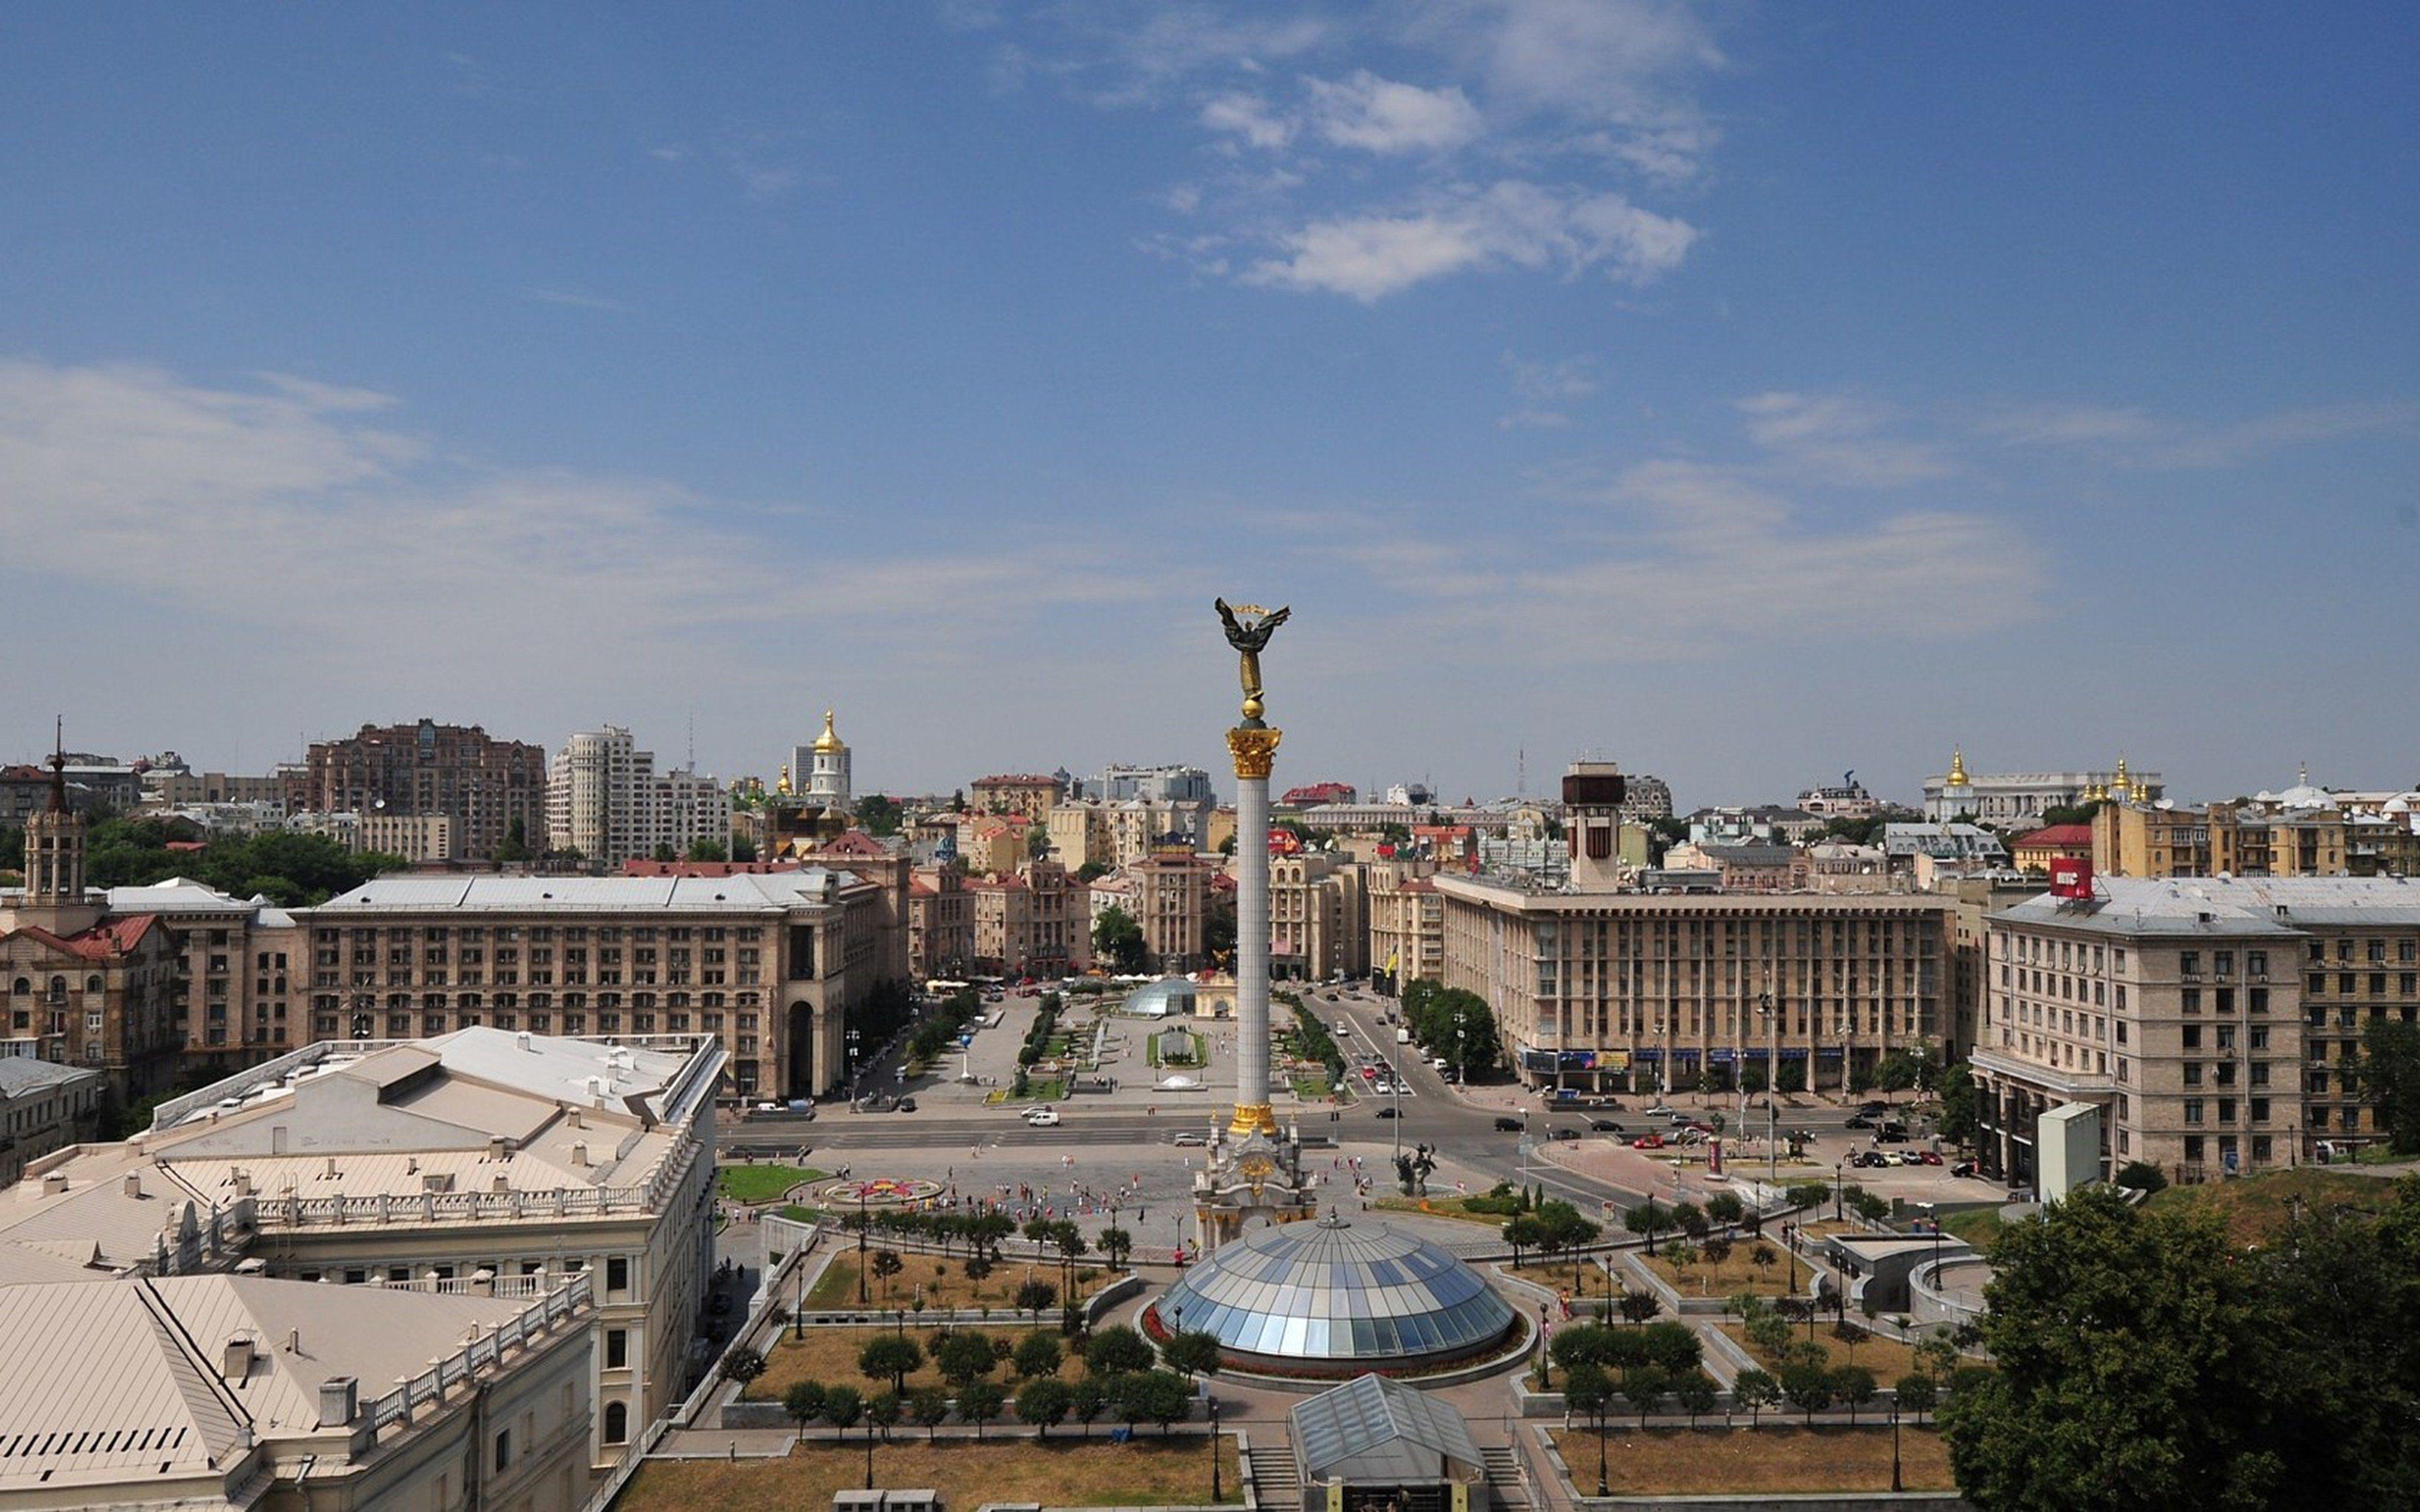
(1337, 1298)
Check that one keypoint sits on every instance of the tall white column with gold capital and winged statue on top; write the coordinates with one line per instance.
(1255, 749)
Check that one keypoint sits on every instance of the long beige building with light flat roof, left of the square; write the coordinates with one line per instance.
(766, 964)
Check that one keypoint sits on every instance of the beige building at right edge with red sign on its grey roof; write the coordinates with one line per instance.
(2211, 1020)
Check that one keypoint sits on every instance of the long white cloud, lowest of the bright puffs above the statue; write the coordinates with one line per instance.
(1511, 224)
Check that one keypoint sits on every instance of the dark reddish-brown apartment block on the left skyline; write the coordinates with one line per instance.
(495, 790)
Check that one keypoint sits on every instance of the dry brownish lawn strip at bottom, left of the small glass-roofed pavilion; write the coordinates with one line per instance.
(1064, 1472)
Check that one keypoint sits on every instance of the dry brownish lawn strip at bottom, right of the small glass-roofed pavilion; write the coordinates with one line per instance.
(1773, 1460)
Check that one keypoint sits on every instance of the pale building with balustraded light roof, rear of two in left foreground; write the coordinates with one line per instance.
(480, 1162)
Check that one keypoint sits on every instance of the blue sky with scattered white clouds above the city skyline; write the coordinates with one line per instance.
(1744, 393)
